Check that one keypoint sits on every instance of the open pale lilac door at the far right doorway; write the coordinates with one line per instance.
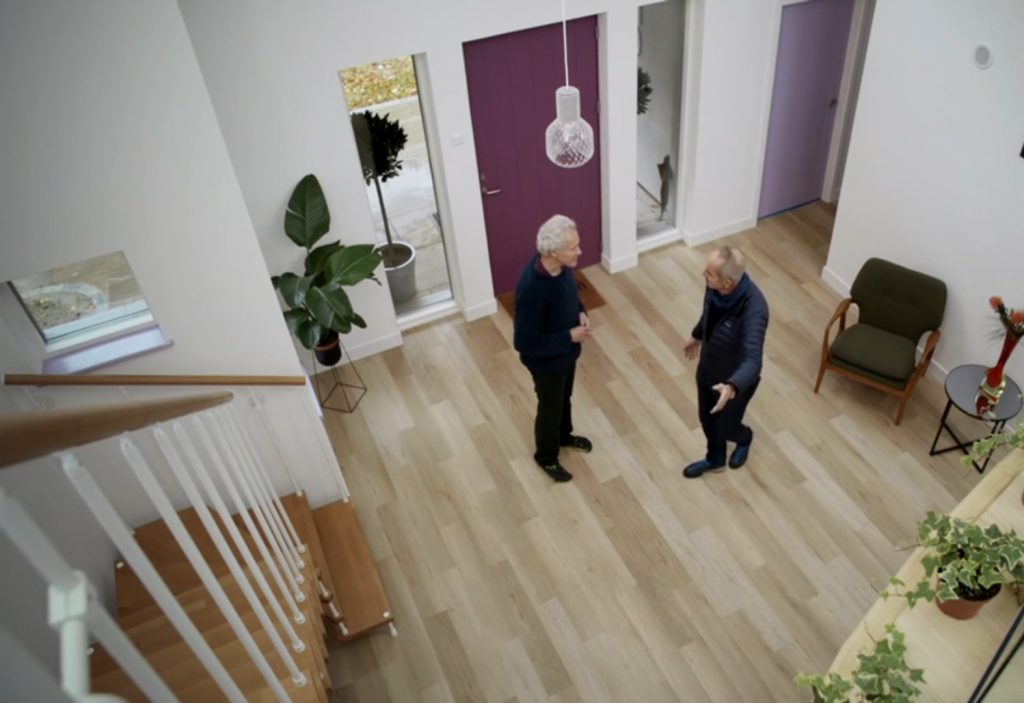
(808, 72)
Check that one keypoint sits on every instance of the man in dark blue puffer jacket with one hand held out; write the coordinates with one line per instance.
(730, 340)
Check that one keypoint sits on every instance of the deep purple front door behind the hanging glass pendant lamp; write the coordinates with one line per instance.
(513, 80)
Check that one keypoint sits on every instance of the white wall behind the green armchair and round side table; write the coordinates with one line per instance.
(934, 180)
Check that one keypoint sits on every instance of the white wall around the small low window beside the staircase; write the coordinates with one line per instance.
(110, 142)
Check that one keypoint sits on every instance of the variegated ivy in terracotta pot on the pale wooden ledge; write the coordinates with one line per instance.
(966, 565)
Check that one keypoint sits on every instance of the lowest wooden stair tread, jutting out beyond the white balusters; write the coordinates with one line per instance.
(359, 592)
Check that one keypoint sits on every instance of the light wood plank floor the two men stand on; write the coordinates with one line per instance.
(631, 584)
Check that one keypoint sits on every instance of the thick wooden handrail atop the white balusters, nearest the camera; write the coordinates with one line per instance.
(29, 435)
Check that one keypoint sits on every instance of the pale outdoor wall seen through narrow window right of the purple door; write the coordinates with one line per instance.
(662, 57)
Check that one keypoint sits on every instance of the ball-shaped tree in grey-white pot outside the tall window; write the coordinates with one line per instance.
(380, 141)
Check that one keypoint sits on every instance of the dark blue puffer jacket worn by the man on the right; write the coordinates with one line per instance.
(733, 351)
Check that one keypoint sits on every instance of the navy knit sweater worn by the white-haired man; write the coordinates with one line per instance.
(546, 309)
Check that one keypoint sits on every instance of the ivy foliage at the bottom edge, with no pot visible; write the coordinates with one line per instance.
(882, 675)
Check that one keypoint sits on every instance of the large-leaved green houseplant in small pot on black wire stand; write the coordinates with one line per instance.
(319, 309)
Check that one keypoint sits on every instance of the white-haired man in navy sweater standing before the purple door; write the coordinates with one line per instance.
(550, 327)
